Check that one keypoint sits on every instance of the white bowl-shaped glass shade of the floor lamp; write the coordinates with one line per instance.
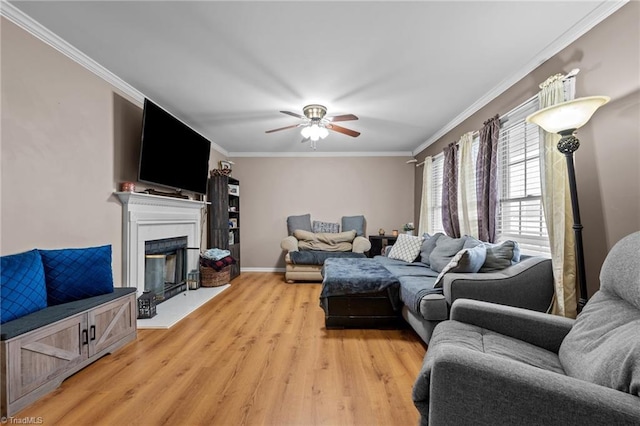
(568, 115)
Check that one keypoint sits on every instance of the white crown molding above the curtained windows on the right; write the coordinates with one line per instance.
(600, 13)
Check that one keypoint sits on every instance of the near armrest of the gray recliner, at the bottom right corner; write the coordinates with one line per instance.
(469, 388)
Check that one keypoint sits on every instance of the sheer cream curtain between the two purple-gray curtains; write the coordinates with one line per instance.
(467, 201)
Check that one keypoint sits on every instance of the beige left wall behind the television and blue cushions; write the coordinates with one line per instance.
(68, 139)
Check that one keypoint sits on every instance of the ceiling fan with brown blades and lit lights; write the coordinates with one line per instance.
(316, 124)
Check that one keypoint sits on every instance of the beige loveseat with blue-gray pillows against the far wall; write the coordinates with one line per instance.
(308, 245)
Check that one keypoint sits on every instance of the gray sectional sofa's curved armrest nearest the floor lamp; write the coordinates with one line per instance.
(528, 284)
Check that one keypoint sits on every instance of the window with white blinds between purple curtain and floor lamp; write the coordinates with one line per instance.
(521, 216)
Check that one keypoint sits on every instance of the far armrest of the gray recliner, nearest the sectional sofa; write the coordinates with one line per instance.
(540, 329)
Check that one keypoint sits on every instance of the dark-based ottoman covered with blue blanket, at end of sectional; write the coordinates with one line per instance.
(359, 293)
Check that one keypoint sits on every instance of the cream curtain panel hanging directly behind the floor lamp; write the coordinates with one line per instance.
(556, 202)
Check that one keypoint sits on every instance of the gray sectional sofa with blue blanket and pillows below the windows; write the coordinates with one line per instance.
(431, 276)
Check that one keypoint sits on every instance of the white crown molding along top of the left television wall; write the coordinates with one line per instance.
(33, 27)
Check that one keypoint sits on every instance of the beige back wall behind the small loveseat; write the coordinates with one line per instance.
(380, 188)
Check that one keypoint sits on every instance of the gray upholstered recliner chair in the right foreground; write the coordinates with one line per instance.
(497, 365)
